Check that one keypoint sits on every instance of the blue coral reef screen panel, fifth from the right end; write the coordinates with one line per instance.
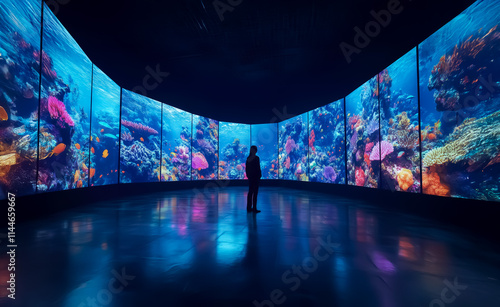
(293, 143)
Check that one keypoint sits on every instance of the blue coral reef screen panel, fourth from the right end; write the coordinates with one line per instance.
(326, 143)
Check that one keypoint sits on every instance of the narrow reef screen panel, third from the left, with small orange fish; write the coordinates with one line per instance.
(105, 130)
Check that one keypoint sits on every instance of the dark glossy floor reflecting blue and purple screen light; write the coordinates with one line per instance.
(304, 249)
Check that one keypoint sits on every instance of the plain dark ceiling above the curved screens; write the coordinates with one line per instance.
(265, 61)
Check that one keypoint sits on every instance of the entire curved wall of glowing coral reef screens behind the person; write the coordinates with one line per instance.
(439, 136)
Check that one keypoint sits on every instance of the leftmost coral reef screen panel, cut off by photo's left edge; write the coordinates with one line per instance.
(20, 24)
